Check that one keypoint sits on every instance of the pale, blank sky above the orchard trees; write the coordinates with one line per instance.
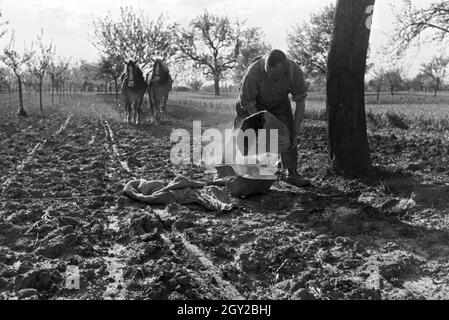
(68, 22)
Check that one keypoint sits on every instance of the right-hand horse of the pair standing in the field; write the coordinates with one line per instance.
(159, 88)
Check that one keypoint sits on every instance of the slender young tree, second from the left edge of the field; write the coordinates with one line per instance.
(41, 62)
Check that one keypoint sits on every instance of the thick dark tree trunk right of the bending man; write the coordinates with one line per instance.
(348, 141)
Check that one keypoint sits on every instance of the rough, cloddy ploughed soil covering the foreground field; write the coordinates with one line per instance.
(61, 205)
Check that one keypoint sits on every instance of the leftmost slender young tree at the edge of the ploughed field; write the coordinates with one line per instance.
(17, 62)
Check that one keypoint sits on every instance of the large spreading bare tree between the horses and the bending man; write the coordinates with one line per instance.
(213, 43)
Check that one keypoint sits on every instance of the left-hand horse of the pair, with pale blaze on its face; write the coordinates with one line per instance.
(134, 88)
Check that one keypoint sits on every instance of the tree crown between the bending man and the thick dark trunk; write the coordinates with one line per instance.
(309, 43)
